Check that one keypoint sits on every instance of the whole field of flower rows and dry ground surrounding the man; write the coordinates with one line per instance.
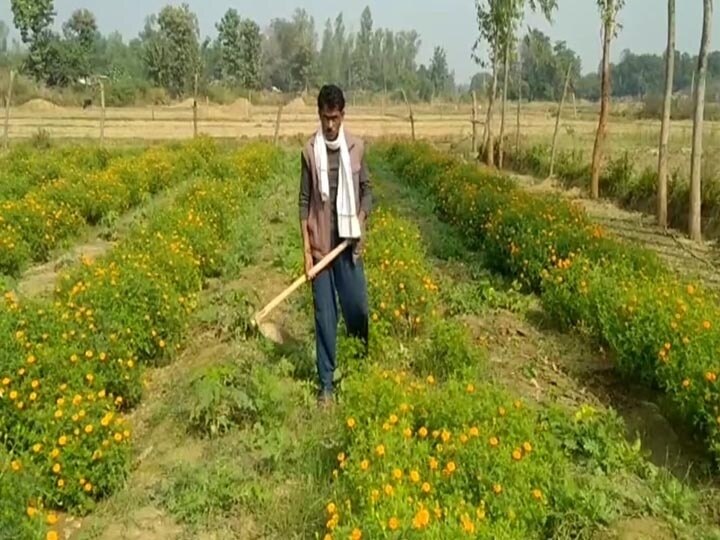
(524, 379)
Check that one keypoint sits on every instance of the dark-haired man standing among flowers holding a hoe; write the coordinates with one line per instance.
(335, 200)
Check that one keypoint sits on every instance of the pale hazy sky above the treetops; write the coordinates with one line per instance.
(448, 23)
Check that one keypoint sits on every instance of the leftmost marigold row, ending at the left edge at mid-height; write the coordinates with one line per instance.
(54, 212)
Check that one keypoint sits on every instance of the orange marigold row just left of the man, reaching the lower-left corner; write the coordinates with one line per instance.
(70, 367)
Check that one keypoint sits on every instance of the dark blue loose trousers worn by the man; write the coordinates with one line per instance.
(346, 278)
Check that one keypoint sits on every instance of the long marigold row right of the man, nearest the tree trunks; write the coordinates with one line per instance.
(663, 331)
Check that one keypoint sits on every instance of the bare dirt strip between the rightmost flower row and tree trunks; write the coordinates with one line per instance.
(687, 258)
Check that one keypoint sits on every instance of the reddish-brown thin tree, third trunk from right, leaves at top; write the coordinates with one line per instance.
(609, 10)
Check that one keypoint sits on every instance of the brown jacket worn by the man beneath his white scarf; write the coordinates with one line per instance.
(319, 213)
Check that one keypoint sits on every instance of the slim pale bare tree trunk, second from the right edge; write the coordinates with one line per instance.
(665, 127)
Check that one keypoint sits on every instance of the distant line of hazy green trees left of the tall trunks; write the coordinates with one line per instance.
(170, 52)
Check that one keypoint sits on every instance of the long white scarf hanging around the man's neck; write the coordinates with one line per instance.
(348, 223)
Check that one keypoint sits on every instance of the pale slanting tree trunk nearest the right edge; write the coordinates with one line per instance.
(696, 158)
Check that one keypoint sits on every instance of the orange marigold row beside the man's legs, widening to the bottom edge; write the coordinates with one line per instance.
(430, 449)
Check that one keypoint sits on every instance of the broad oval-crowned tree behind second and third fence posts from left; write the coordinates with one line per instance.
(172, 49)
